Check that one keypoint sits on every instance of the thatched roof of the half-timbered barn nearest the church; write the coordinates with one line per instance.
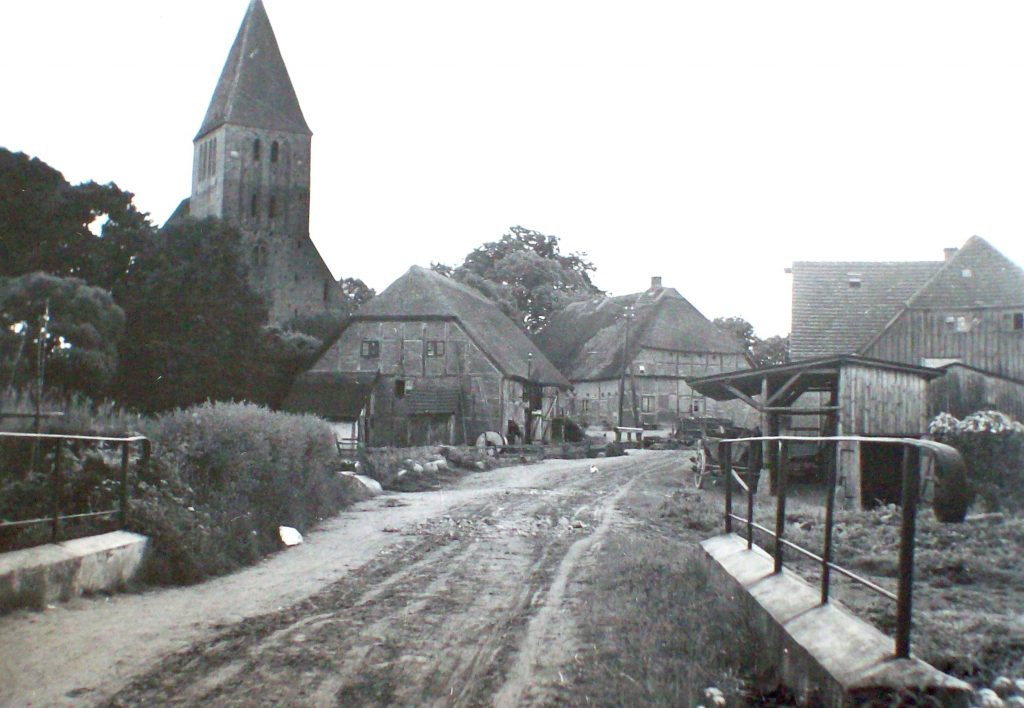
(424, 295)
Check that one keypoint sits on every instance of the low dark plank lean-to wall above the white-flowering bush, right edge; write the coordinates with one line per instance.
(962, 392)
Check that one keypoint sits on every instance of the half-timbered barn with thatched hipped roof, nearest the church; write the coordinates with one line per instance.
(448, 366)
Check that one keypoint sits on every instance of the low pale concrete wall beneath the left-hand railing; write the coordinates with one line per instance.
(36, 577)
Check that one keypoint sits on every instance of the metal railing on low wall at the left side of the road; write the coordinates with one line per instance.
(57, 502)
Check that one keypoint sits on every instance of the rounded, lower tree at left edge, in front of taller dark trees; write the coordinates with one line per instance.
(81, 335)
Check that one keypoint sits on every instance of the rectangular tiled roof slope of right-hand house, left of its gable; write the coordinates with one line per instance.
(838, 307)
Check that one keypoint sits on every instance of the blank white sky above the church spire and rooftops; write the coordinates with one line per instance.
(712, 144)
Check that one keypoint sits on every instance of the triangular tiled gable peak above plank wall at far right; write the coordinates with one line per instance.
(977, 276)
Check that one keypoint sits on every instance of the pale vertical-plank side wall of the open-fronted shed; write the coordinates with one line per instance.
(879, 402)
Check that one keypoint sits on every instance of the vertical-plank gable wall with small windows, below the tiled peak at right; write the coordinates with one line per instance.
(990, 344)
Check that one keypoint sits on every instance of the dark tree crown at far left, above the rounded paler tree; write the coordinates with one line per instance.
(48, 225)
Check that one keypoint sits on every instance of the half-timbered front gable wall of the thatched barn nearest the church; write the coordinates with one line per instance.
(404, 356)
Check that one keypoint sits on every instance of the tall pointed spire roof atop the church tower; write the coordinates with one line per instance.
(254, 90)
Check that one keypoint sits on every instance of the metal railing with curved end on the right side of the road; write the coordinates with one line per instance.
(944, 456)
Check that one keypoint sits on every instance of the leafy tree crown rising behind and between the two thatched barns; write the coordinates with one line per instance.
(527, 275)
